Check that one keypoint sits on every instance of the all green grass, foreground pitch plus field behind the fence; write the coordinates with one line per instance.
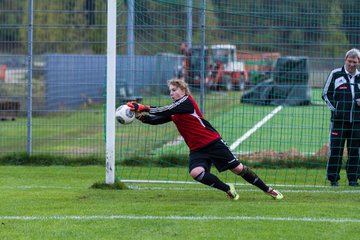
(57, 202)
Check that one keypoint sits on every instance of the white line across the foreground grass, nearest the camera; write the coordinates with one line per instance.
(186, 218)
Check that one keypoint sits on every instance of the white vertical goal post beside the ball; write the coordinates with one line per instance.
(110, 91)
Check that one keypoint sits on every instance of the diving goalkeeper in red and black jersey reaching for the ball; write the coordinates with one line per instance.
(205, 143)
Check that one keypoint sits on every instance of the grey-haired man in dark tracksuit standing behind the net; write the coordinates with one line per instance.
(342, 95)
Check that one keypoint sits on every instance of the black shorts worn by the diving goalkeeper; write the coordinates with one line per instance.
(217, 153)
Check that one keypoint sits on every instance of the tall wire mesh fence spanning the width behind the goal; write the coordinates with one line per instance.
(242, 60)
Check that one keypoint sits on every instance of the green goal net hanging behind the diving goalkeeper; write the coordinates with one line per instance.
(275, 57)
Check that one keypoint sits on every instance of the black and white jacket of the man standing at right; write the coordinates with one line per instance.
(341, 92)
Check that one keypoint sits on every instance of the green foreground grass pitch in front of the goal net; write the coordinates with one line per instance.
(58, 203)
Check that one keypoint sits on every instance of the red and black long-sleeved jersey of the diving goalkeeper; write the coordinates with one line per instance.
(196, 131)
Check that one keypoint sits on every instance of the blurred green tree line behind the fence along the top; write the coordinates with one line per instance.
(160, 25)
